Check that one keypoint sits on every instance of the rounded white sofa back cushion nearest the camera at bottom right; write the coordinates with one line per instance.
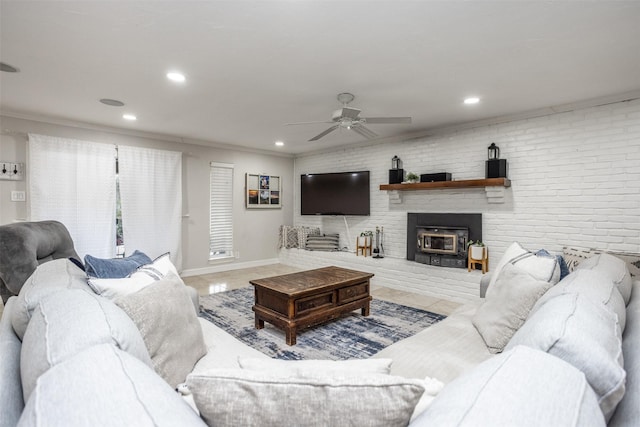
(521, 387)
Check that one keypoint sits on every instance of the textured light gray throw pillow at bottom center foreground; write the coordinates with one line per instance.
(241, 397)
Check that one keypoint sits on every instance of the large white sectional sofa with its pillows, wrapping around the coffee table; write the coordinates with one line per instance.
(71, 357)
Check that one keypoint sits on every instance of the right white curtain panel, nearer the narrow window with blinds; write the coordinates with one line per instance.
(151, 199)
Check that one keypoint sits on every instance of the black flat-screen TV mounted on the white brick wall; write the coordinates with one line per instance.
(343, 193)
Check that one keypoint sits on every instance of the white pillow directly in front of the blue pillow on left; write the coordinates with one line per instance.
(139, 279)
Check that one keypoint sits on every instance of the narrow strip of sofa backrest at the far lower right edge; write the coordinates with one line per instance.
(628, 411)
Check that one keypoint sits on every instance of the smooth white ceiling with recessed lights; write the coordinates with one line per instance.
(253, 66)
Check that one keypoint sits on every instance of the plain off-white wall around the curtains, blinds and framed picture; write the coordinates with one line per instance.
(255, 231)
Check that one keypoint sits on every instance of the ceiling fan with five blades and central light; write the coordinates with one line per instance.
(349, 118)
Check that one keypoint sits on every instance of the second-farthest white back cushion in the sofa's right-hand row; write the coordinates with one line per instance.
(594, 285)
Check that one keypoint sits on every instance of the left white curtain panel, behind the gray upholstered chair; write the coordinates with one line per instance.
(73, 182)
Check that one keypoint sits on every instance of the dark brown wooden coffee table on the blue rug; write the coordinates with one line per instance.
(299, 300)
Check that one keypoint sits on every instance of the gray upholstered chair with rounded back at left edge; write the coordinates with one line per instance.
(24, 246)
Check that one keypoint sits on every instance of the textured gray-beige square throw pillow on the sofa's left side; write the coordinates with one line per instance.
(169, 326)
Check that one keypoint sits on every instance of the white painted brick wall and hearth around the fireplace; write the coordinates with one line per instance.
(575, 181)
